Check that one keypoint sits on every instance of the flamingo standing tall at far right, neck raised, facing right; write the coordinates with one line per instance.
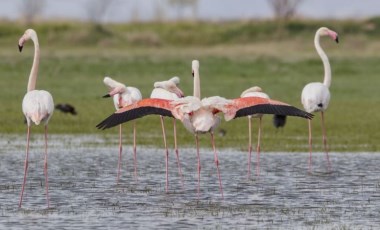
(315, 96)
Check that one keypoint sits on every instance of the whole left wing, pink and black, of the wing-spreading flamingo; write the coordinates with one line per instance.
(137, 110)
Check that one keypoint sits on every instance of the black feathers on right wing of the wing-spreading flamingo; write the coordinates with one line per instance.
(285, 110)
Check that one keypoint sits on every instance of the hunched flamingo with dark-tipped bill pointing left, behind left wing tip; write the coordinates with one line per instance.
(123, 96)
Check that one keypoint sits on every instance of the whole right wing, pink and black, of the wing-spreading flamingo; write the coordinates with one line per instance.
(242, 107)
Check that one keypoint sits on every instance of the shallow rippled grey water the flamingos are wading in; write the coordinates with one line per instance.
(84, 193)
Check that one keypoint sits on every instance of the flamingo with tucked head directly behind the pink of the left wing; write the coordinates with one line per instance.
(168, 90)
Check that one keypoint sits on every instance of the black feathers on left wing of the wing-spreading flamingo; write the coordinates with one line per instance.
(119, 118)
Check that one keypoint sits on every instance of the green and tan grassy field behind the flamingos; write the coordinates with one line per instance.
(233, 57)
